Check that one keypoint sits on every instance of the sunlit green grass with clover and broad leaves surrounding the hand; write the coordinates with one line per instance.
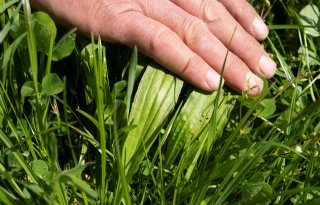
(85, 122)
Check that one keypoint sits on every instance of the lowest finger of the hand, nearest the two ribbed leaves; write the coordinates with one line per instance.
(162, 44)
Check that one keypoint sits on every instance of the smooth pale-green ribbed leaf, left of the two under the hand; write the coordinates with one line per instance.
(155, 99)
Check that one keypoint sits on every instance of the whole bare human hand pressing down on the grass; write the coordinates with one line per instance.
(188, 37)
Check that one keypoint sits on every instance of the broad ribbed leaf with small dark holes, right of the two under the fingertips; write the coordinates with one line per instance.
(191, 122)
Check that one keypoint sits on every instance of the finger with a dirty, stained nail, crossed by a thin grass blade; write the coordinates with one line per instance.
(201, 41)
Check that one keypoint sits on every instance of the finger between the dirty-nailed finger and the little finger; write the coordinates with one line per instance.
(244, 45)
